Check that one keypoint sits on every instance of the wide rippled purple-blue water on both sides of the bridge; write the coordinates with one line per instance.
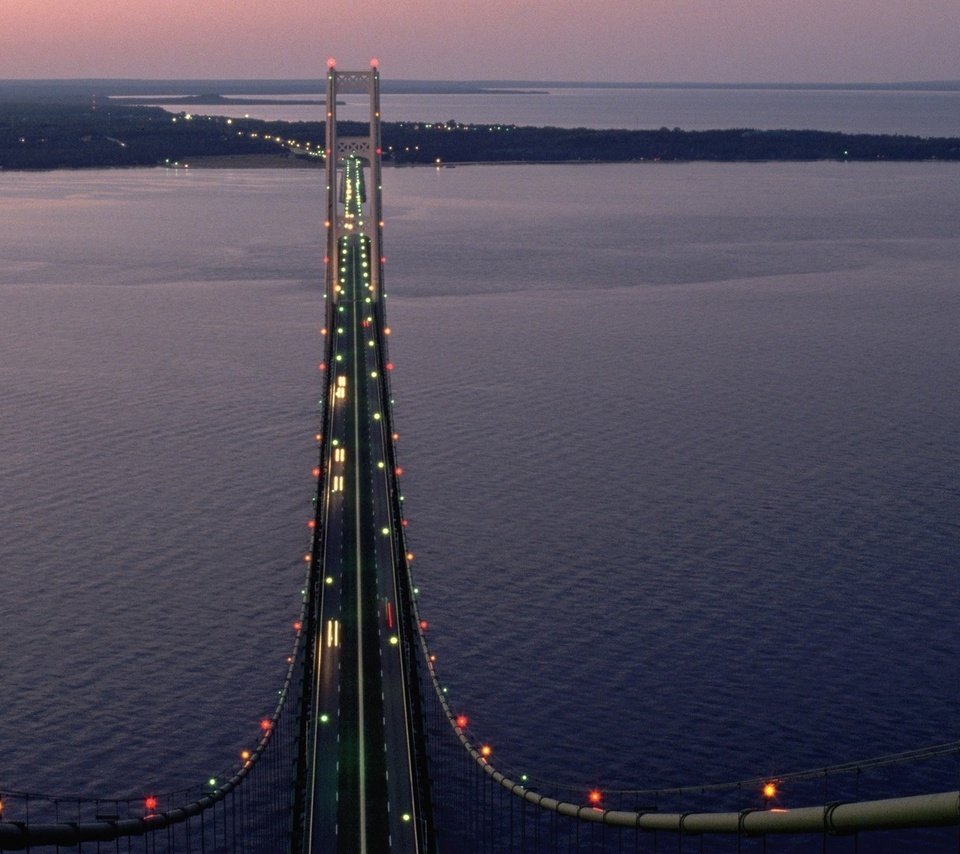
(681, 462)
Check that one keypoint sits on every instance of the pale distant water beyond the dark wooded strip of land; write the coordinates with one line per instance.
(852, 111)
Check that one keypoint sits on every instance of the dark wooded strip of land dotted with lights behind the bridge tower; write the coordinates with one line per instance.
(43, 135)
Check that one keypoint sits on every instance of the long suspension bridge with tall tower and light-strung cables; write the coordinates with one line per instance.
(364, 752)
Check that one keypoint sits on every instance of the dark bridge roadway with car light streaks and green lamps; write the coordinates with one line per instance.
(362, 791)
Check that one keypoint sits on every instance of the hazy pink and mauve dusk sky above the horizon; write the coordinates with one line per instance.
(710, 41)
